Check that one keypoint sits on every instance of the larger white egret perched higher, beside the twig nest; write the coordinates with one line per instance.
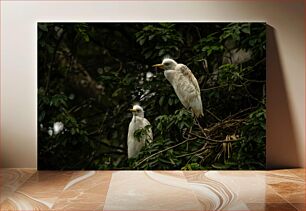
(184, 83)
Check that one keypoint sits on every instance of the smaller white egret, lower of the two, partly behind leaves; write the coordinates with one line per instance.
(138, 121)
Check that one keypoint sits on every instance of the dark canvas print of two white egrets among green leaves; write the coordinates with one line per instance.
(160, 96)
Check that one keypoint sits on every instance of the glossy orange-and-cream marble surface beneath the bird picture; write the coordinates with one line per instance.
(29, 189)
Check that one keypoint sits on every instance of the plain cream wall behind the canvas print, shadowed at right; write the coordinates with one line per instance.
(285, 62)
